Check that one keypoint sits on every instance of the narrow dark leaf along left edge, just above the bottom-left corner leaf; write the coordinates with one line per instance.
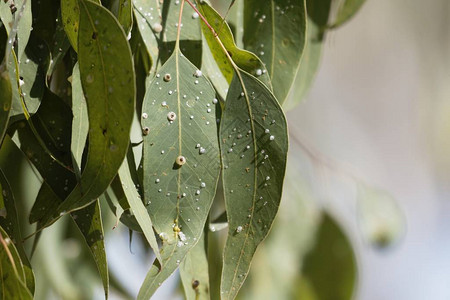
(9, 221)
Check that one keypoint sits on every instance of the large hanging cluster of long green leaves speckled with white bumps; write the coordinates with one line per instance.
(76, 74)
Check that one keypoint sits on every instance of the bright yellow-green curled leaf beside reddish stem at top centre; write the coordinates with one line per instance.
(245, 60)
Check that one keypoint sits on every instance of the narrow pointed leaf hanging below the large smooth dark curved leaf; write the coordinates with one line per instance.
(89, 221)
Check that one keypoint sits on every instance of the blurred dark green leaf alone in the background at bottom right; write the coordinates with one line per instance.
(330, 267)
